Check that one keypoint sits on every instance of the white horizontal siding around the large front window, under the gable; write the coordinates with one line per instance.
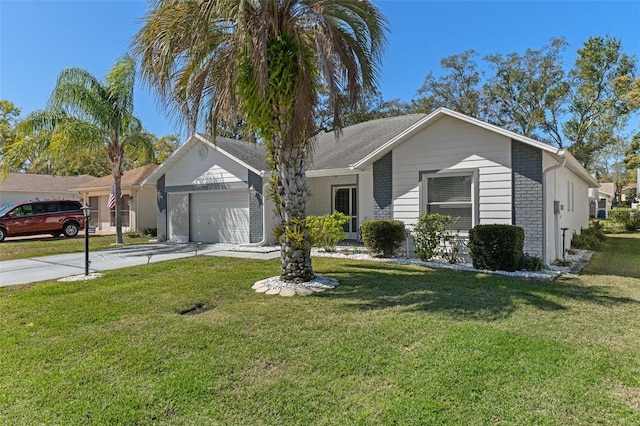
(446, 146)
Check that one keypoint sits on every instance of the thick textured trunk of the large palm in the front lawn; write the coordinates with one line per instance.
(291, 195)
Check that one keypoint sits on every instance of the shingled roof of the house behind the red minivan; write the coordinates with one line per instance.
(28, 182)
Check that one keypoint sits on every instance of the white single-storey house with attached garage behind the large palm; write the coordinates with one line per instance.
(398, 167)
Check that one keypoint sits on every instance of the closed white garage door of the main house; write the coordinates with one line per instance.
(220, 217)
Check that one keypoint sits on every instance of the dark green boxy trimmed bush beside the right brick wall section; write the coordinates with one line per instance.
(496, 247)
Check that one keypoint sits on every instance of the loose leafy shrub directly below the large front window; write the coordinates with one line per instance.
(433, 237)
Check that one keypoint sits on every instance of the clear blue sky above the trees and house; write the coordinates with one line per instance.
(40, 38)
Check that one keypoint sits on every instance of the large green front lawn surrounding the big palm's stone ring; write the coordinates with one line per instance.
(391, 345)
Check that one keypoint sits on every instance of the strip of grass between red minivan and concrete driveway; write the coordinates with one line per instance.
(11, 249)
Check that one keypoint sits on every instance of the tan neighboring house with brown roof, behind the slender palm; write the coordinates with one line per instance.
(139, 203)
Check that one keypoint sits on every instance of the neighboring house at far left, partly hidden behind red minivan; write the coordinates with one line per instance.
(17, 187)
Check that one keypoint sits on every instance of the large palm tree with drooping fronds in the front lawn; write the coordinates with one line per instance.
(264, 61)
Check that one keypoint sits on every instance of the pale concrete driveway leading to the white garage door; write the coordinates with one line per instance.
(25, 271)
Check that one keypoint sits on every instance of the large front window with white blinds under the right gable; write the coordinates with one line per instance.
(451, 195)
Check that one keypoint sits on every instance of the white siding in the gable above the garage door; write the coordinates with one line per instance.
(216, 168)
